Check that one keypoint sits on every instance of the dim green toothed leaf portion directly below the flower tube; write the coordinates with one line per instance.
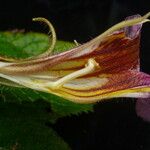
(59, 106)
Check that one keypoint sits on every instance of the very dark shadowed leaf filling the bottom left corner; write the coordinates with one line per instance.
(23, 127)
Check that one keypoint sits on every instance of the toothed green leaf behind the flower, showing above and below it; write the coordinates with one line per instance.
(22, 45)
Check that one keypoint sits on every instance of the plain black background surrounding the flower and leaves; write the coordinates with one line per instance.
(114, 124)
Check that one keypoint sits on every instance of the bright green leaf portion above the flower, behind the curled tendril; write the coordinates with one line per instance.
(23, 45)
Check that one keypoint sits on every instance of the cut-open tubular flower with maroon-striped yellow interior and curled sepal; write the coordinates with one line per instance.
(105, 67)
